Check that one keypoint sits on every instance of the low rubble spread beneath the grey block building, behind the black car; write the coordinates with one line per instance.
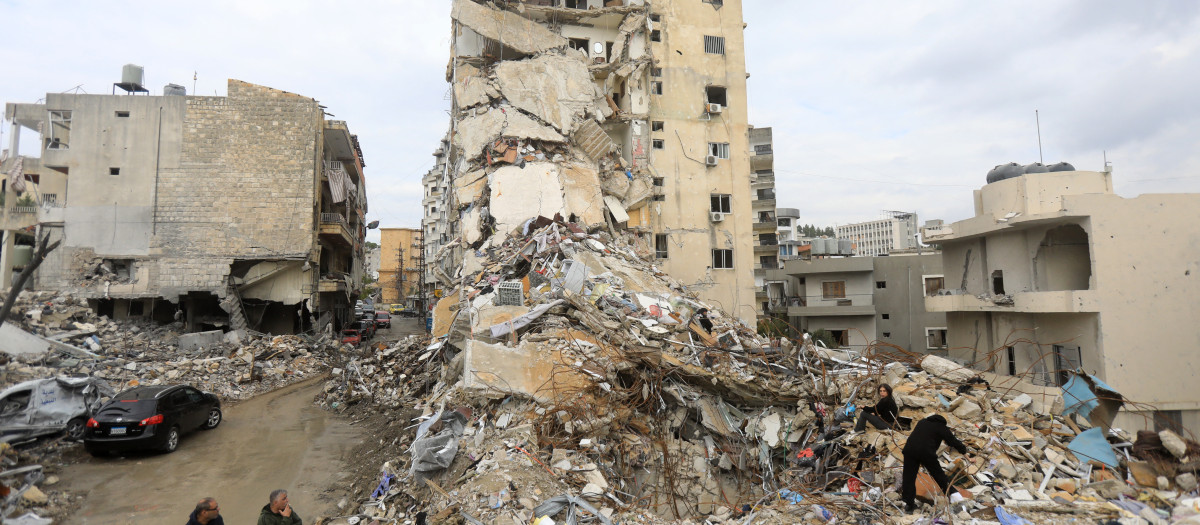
(127, 354)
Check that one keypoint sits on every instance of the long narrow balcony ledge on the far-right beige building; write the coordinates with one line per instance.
(1023, 303)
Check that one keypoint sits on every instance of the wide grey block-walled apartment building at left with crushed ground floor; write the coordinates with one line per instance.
(244, 212)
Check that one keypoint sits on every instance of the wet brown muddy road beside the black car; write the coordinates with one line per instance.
(277, 440)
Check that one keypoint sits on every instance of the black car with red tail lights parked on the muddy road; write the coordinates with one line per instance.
(151, 418)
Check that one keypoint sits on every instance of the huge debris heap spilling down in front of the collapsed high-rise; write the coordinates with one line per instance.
(568, 367)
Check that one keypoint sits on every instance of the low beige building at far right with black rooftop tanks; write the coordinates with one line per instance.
(1057, 273)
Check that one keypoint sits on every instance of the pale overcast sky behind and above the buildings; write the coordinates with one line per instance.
(875, 105)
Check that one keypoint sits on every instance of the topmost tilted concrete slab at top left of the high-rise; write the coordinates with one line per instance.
(514, 31)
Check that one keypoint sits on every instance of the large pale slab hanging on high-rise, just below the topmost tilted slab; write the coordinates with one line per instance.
(556, 89)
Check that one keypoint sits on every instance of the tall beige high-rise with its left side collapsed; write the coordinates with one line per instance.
(626, 114)
